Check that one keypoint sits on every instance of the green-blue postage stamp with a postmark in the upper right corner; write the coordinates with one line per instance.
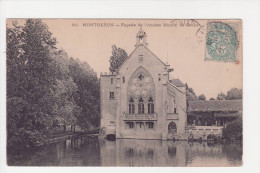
(223, 41)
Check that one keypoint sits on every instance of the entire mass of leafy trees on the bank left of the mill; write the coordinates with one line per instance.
(45, 89)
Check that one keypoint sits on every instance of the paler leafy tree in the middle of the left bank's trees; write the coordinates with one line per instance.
(63, 90)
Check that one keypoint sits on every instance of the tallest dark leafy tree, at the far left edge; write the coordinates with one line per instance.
(29, 81)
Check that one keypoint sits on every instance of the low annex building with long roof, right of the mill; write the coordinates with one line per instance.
(206, 117)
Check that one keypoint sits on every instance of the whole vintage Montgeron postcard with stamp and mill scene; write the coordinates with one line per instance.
(124, 92)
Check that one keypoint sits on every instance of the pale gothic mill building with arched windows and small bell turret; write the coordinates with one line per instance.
(140, 101)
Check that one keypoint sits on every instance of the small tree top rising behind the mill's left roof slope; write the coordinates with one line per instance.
(118, 57)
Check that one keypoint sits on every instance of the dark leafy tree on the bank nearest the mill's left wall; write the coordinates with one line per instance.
(87, 96)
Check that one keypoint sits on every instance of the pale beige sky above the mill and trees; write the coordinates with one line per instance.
(180, 43)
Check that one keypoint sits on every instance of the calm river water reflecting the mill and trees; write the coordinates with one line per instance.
(90, 151)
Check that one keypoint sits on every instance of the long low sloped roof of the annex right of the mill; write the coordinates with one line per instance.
(215, 105)
